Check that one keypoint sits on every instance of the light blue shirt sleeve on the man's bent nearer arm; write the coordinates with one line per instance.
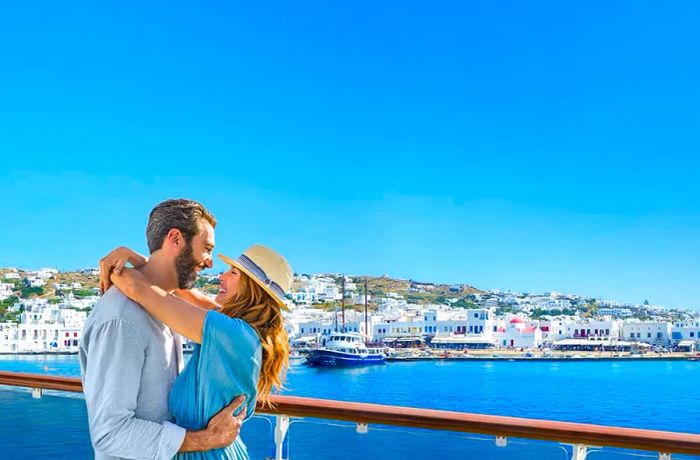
(111, 383)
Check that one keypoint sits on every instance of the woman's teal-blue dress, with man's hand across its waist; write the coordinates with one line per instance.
(225, 365)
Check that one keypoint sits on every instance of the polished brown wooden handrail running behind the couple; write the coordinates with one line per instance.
(565, 432)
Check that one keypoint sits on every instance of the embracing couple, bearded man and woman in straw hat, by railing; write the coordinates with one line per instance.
(142, 401)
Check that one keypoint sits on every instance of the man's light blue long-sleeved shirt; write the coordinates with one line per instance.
(128, 363)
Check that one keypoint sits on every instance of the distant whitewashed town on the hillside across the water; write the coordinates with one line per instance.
(43, 311)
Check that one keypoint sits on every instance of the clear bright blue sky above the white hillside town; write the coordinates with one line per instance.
(515, 145)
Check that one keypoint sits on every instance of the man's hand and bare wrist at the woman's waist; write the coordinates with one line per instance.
(222, 429)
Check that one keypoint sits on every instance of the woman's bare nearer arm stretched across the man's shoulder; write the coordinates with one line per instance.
(182, 317)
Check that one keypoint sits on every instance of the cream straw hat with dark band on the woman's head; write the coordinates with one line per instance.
(267, 268)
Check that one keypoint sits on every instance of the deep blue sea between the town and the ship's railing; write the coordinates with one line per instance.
(640, 394)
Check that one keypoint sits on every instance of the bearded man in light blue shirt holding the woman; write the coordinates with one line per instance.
(129, 360)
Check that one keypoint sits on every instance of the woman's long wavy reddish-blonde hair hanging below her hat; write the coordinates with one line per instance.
(257, 308)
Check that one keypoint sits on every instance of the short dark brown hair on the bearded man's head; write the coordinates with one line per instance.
(181, 214)
